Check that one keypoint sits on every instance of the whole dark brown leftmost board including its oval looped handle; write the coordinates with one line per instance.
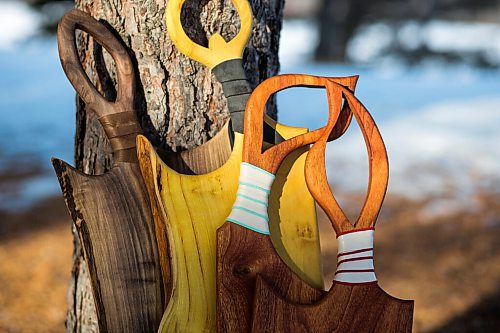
(112, 211)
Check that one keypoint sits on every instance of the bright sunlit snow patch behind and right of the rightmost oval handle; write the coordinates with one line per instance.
(445, 149)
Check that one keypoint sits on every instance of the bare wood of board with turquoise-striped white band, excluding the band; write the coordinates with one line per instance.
(242, 254)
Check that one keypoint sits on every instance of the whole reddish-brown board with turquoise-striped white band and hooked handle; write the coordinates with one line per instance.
(244, 246)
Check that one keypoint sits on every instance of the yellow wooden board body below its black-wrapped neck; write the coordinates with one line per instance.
(193, 207)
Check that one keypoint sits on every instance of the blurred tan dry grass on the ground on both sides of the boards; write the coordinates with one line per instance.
(450, 265)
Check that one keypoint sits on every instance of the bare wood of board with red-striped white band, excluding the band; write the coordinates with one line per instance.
(345, 308)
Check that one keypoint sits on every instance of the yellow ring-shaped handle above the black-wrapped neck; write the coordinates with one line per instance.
(218, 49)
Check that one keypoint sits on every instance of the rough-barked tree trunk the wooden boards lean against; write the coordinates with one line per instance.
(181, 105)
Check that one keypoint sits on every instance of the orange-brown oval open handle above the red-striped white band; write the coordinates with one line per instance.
(317, 182)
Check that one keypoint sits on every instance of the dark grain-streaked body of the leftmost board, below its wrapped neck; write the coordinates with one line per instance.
(113, 218)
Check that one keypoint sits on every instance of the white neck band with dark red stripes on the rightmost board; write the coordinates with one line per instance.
(355, 258)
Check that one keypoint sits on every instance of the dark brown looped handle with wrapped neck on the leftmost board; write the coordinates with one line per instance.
(118, 118)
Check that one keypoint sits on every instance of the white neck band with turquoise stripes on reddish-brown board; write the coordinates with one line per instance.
(250, 207)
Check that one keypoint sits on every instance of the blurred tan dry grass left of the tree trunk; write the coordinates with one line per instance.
(35, 266)
